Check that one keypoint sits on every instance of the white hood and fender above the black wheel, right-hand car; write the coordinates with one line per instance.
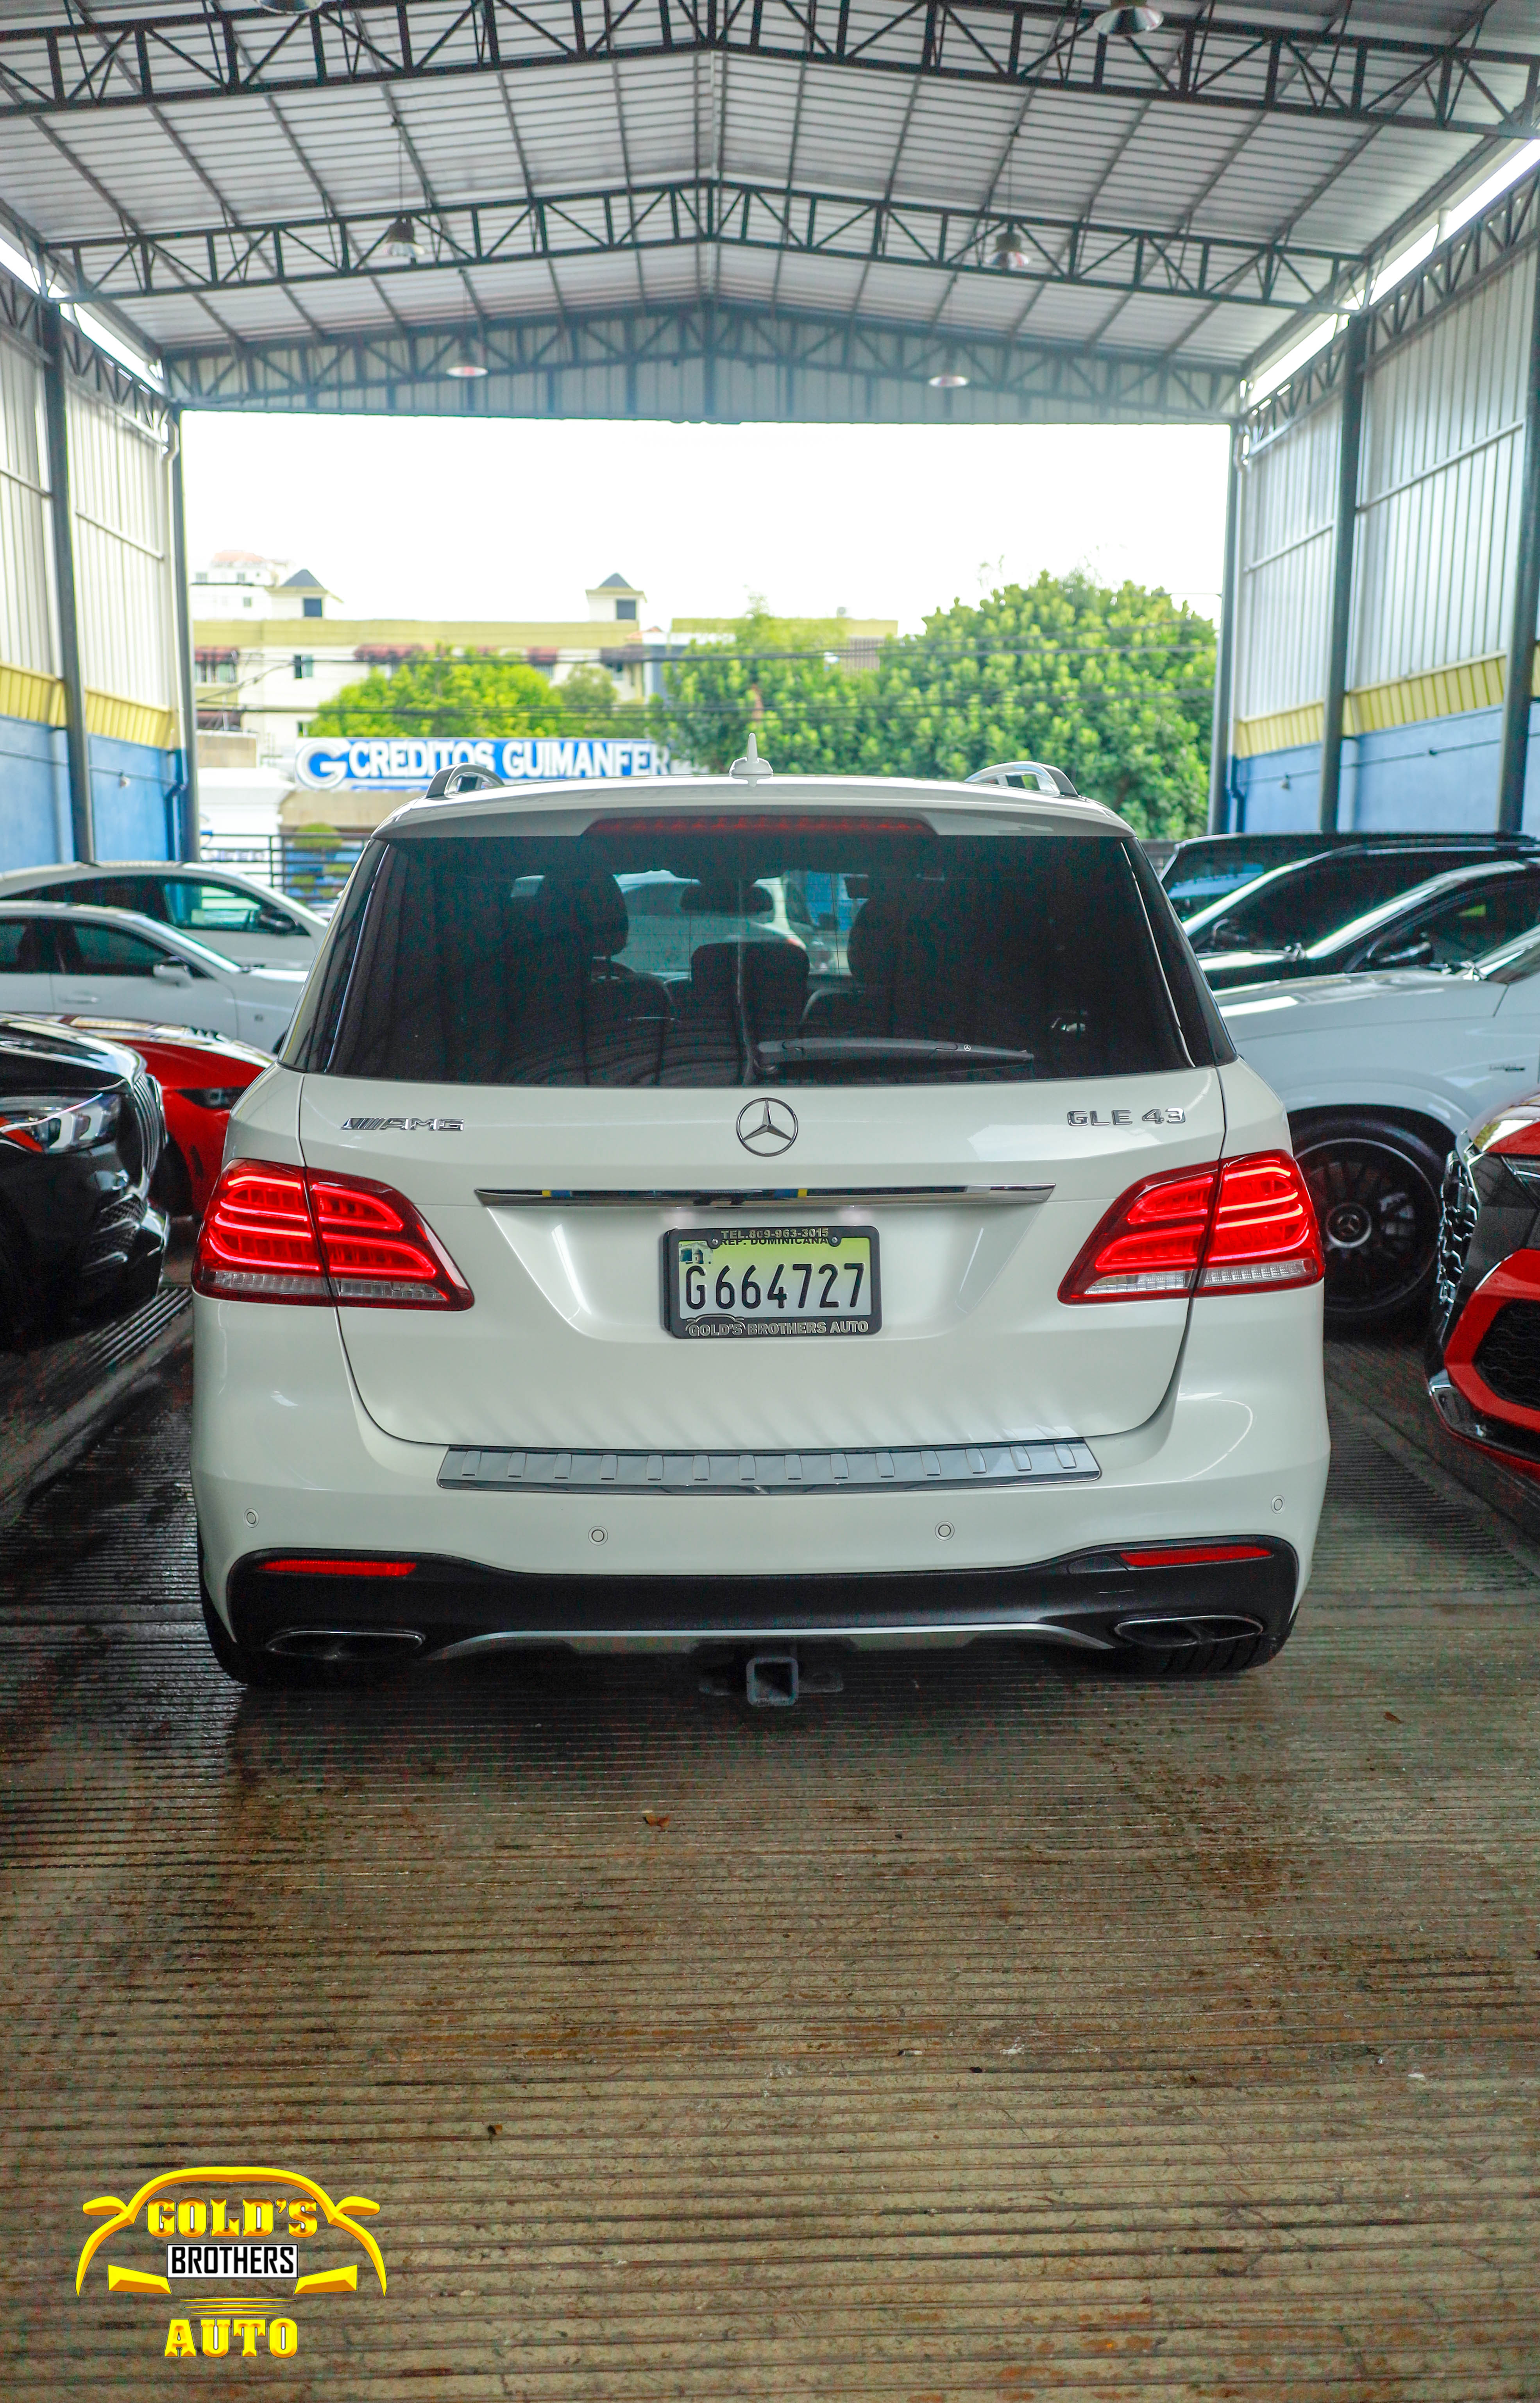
(1409, 1039)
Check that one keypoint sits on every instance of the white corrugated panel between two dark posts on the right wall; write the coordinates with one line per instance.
(1438, 499)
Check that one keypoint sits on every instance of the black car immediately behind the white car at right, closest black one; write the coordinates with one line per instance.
(1440, 924)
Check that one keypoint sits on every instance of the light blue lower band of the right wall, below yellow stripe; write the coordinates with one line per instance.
(1435, 777)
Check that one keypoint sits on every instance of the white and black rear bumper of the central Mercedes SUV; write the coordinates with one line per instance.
(287, 1462)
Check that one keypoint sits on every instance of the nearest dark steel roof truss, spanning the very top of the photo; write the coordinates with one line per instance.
(1200, 61)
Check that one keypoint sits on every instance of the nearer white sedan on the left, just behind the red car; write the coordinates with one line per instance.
(126, 967)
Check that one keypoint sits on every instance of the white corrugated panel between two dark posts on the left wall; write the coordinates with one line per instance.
(121, 499)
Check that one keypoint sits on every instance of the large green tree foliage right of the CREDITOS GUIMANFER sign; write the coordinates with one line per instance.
(1111, 686)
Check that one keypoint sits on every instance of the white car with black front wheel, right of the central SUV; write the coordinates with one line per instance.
(1378, 1075)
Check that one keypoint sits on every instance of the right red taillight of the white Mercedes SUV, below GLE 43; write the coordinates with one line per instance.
(1238, 1227)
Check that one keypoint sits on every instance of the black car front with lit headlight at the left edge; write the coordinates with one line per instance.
(80, 1138)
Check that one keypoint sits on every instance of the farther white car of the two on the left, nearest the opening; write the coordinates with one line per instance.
(222, 907)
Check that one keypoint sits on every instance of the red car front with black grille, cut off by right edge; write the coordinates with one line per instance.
(1484, 1349)
